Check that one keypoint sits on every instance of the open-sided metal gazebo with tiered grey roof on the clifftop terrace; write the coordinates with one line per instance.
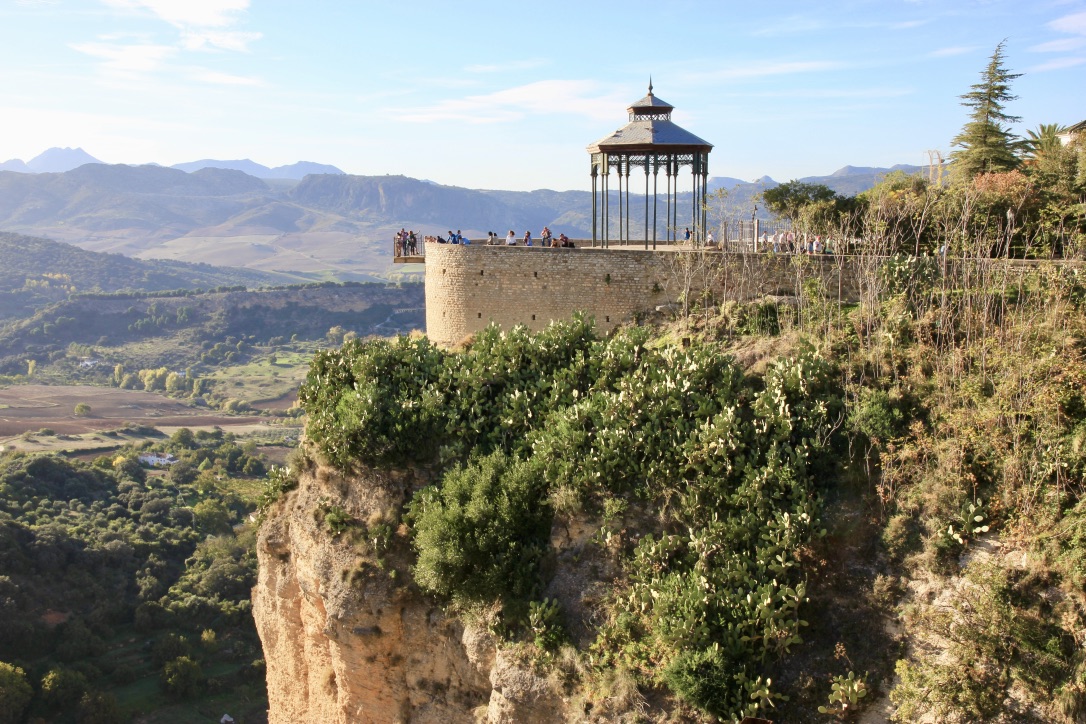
(653, 142)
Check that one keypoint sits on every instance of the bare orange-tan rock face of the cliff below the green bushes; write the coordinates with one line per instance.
(347, 642)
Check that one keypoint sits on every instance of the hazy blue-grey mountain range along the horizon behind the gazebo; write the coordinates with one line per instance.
(333, 224)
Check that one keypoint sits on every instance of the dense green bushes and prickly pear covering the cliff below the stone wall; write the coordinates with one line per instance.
(527, 426)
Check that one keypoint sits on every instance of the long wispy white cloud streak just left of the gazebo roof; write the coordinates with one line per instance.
(552, 97)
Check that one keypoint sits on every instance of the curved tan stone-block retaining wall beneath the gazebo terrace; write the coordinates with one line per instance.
(471, 287)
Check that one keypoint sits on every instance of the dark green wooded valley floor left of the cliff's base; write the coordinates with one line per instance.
(115, 579)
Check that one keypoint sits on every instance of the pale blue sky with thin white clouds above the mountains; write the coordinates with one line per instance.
(508, 95)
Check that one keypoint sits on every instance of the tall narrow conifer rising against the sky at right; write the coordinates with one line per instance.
(987, 142)
